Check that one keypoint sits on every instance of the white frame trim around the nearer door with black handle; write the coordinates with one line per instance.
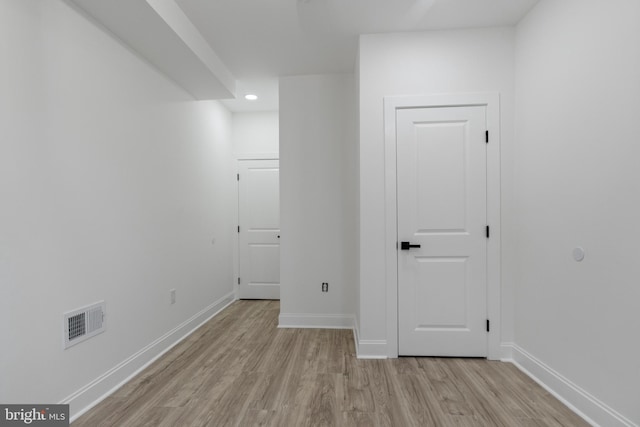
(492, 103)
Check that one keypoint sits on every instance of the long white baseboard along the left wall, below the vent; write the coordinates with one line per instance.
(97, 390)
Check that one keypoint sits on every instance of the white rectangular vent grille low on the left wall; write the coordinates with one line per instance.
(84, 323)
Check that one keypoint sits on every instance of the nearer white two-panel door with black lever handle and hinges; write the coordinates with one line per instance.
(442, 187)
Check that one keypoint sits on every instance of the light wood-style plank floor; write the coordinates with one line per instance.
(240, 370)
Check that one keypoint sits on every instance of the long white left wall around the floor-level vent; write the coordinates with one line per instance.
(113, 183)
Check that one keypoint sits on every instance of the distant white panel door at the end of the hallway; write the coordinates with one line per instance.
(259, 232)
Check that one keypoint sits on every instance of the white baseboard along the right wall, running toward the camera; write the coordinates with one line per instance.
(594, 411)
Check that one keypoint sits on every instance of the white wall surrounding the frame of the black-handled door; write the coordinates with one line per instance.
(417, 64)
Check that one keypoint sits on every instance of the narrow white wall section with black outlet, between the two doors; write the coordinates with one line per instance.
(318, 199)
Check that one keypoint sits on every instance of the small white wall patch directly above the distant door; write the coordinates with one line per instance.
(255, 133)
